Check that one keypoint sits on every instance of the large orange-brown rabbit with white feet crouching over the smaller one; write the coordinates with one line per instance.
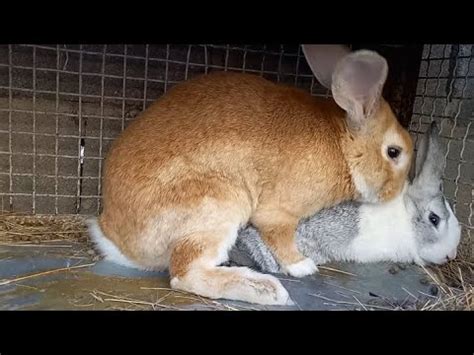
(224, 149)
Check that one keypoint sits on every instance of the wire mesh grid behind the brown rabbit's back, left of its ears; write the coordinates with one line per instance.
(62, 105)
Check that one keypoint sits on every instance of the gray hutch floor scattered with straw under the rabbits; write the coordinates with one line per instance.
(47, 265)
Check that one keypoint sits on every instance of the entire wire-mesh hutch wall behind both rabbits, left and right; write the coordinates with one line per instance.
(61, 106)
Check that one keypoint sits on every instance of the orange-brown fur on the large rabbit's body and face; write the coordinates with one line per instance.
(223, 149)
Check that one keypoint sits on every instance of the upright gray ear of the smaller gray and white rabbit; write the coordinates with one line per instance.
(430, 162)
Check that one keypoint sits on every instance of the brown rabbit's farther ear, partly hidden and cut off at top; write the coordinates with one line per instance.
(322, 59)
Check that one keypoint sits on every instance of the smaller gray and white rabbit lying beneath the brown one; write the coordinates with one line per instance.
(418, 226)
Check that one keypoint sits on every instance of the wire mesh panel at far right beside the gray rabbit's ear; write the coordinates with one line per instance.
(445, 94)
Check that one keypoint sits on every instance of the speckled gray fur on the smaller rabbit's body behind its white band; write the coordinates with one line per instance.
(320, 237)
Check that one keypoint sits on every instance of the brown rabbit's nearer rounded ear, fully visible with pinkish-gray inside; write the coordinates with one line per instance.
(357, 84)
